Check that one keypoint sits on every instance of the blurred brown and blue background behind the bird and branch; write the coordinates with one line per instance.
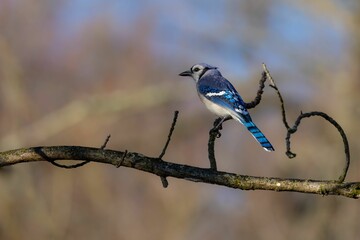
(74, 71)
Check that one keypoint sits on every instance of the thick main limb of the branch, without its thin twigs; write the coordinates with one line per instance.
(161, 168)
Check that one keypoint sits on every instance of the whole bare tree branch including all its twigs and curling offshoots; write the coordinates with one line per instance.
(165, 169)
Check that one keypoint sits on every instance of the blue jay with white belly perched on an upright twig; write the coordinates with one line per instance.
(222, 99)
